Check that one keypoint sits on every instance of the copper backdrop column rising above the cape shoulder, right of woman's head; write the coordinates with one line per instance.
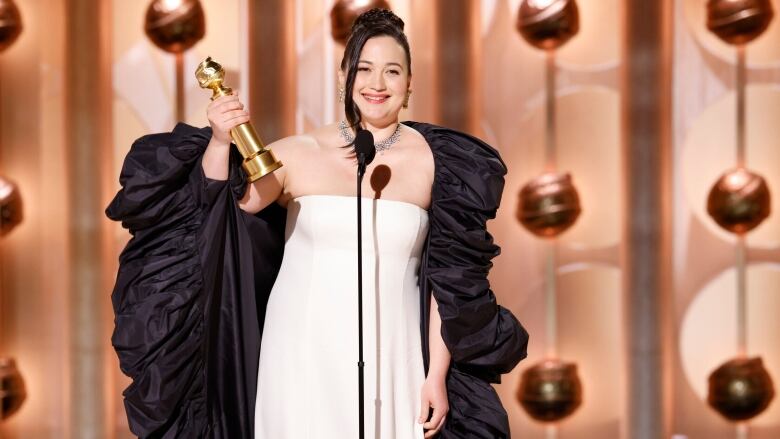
(457, 63)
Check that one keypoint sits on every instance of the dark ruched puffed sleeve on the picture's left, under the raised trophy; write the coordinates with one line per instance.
(186, 299)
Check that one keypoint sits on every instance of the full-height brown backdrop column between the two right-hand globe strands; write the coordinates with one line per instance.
(646, 137)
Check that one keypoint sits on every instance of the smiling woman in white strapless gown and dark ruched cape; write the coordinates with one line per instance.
(432, 349)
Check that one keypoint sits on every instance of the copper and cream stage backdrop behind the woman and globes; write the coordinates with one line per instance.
(472, 71)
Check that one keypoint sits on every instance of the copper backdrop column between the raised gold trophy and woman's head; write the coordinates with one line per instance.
(272, 74)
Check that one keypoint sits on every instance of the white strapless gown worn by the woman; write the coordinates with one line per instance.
(308, 376)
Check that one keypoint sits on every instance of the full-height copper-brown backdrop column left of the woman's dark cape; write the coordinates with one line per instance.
(87, 107)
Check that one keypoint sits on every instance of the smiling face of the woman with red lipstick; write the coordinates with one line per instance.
(381, 81)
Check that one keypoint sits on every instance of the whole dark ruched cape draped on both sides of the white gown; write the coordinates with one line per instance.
(194, 280)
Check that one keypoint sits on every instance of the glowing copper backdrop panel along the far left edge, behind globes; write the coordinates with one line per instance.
(35, 322)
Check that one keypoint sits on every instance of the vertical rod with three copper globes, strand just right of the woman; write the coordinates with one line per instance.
(548, 205)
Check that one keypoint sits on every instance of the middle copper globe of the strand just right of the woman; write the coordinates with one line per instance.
(548, 205)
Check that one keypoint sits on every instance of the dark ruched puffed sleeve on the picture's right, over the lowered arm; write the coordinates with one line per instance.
(484, 338)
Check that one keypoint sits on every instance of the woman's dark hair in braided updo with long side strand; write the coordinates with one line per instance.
(373, 23)
